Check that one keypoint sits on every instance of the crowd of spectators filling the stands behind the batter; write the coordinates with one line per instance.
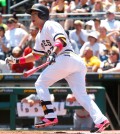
(96, 40)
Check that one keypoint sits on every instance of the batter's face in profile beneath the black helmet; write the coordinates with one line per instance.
(35, 19)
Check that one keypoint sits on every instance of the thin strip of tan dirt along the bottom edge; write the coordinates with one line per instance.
(54, 132)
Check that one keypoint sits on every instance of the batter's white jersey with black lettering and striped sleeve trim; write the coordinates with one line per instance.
(45, 39)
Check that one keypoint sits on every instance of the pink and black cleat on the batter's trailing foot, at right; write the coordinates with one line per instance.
(100, 127)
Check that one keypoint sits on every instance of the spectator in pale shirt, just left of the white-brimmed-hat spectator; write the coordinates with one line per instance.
(79, 35)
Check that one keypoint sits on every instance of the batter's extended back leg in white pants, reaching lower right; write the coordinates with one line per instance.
(77, 84)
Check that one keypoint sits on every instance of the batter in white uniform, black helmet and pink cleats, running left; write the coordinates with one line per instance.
(52, 41)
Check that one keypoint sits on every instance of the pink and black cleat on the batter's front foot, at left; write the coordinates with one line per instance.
(46, 122)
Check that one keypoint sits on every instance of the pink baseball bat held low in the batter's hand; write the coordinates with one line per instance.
(33, 70)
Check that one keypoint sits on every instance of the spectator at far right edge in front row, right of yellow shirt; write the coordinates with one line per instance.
(111, 62)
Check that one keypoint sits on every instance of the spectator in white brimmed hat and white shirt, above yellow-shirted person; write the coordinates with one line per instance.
(92, 43)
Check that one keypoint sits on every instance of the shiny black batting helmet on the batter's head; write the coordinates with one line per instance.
(43, 12)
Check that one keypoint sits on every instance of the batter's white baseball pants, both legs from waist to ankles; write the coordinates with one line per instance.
(73, 69)
